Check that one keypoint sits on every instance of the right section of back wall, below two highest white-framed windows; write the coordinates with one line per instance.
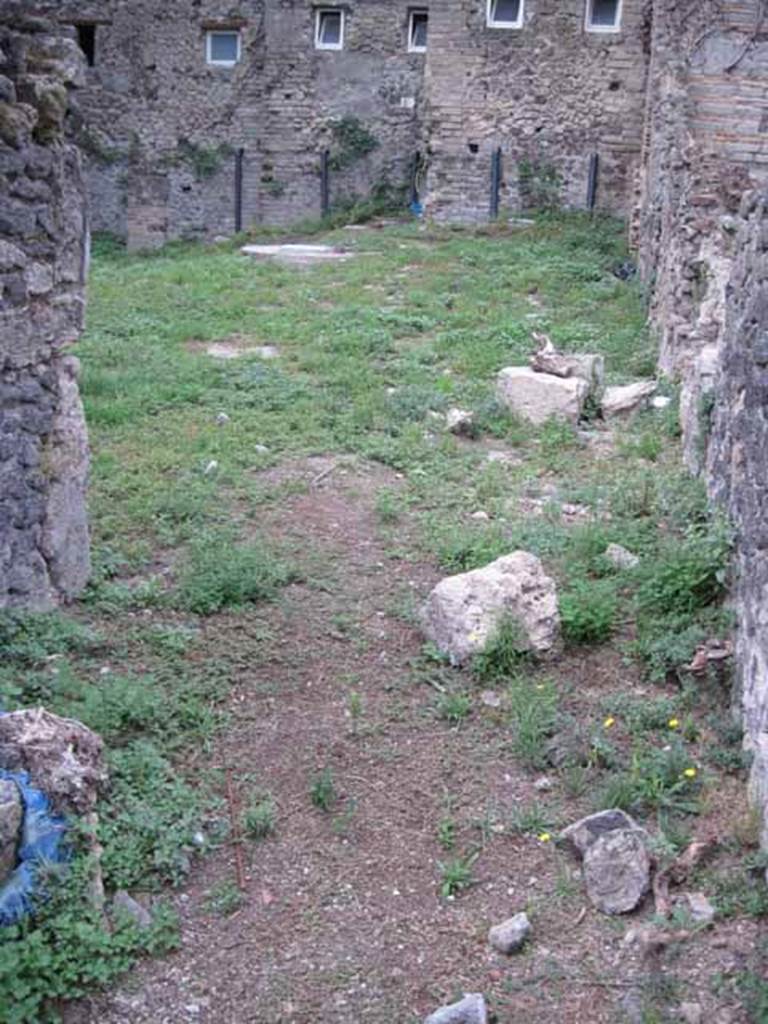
(550, 94)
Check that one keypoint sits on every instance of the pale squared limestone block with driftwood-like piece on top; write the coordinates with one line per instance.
(536, 397)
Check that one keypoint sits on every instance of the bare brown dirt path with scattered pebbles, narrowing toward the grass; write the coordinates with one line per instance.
(342, 918)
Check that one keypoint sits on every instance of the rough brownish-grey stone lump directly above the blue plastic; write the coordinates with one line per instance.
(63, 758)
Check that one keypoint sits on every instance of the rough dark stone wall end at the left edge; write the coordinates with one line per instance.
(44, 446)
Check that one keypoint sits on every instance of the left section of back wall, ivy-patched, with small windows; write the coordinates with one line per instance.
(161, 126)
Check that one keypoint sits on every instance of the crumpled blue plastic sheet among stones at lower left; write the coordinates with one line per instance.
(42, 843)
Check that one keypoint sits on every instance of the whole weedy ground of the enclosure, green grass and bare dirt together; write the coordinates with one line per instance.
(265, 531)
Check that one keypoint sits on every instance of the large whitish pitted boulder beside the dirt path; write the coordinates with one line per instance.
(463, 612)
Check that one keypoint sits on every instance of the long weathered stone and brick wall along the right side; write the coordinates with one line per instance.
(704, 254)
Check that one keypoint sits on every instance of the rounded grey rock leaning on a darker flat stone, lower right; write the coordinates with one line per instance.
(617, 871)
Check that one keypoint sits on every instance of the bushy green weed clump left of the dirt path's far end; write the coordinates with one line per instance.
(219, 574)
